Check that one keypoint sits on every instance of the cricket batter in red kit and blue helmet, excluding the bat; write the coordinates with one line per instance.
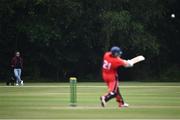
(111, 62)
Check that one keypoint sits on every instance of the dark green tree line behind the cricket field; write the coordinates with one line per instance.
(62, 38)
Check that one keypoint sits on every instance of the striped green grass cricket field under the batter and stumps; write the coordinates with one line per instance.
(51, 101)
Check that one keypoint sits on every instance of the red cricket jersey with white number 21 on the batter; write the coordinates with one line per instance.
(110, 66)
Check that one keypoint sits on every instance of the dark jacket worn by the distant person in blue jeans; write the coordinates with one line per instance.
(17, 62)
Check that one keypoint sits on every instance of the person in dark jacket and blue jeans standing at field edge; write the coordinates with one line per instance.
(17, 65)
